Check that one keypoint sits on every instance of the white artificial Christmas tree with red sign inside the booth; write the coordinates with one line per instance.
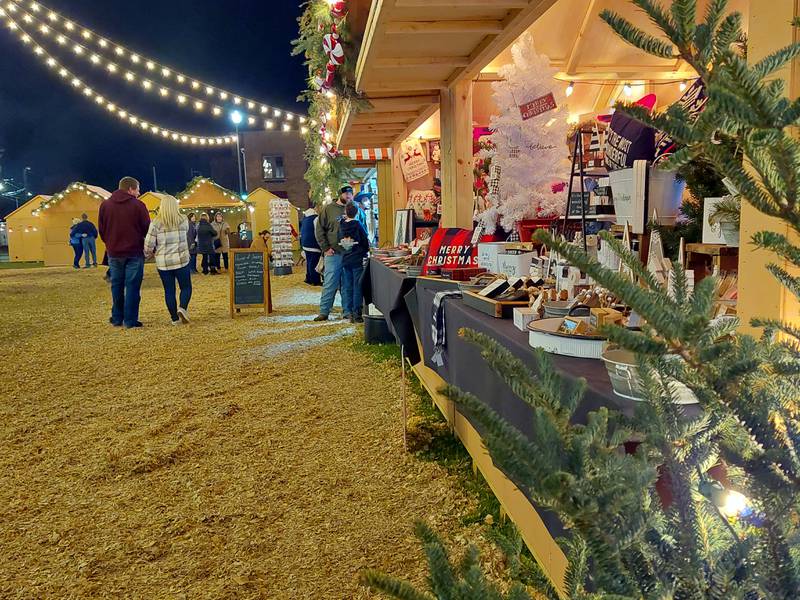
(533, 153)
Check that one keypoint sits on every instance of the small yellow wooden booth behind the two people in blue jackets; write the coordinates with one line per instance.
(56, 215)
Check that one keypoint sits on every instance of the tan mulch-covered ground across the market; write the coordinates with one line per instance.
(248, 458)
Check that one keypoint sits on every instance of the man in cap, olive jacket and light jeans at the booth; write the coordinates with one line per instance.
(327, 232)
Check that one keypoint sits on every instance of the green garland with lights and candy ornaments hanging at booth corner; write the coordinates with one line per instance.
(325, 174)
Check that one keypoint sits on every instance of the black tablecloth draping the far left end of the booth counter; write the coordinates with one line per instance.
(386, 289)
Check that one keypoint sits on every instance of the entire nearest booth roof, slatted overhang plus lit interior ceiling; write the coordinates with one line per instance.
(413, 48)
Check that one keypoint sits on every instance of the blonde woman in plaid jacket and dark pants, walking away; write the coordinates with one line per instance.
(167, 240)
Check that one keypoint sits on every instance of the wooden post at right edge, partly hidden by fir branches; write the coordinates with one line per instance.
(760, 294)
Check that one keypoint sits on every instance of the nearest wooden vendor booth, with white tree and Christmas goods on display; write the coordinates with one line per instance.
(496, 119)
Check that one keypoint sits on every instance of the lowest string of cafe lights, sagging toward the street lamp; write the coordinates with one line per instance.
(112, 107)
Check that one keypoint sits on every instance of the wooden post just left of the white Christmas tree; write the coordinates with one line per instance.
(456, 147)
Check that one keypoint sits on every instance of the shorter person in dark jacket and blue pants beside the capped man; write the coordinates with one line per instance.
(353, 238)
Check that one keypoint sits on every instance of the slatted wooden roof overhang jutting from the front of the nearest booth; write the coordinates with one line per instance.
(413, 48)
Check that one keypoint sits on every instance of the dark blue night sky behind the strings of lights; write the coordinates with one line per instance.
(242, 46)
